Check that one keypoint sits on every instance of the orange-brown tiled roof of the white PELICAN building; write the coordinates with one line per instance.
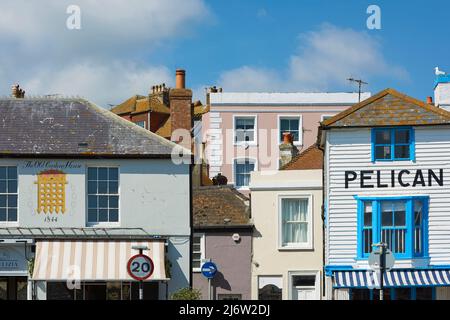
(389, 108)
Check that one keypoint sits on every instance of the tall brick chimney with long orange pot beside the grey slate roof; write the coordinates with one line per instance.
(180, 101)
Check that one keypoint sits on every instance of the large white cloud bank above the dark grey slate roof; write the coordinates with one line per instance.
(106, 61)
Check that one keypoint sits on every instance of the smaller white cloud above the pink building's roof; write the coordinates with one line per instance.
(325, 59)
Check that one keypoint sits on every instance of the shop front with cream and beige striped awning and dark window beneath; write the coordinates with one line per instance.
(95, 270)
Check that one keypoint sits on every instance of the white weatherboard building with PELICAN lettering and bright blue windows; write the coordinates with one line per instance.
(387, 178)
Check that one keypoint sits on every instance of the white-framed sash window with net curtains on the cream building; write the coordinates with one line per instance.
(295, 219)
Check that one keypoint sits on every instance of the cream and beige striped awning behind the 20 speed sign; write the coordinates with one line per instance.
(93, 260)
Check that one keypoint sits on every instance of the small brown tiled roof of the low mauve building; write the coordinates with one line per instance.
(213, 204)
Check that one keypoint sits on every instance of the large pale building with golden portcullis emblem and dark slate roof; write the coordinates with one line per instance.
(79, 188)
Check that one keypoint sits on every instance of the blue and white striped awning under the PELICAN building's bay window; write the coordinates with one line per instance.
(395, 278)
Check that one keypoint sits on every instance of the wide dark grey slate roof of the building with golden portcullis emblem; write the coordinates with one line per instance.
(73, 127)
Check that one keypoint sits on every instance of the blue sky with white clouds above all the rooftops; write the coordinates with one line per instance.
(124, 48)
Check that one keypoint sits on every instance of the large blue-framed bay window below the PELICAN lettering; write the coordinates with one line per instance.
(400, 223)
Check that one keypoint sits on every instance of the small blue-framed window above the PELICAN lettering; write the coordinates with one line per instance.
(390, 144)
